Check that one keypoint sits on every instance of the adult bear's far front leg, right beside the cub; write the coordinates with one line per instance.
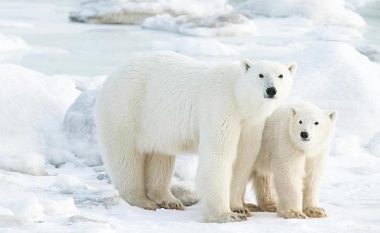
(248, 148)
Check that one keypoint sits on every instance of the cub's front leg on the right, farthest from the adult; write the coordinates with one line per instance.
(314, 167)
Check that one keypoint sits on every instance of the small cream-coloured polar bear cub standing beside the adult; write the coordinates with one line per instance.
(295, 143)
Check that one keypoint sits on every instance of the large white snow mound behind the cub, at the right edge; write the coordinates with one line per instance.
(334, 75)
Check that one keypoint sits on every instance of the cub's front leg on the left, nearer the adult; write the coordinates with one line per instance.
(288, 174)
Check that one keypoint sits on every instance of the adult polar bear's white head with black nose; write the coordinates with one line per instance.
(269, 80)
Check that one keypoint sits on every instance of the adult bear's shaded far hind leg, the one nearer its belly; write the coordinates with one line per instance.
(158, 174)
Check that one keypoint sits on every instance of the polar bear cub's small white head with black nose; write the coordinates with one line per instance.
(311, 128)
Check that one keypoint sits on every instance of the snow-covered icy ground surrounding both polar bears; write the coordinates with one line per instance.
(51, 178)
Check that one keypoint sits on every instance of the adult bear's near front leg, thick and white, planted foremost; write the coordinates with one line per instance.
(217, 153)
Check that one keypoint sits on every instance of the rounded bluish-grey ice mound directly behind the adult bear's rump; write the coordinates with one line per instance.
(79, 129)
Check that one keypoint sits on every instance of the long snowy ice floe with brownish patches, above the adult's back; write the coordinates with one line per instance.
(196, 17)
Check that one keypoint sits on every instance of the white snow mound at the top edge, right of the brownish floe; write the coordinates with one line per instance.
(320, 12)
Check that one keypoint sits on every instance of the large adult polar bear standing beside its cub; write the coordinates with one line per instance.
(163, 104)
